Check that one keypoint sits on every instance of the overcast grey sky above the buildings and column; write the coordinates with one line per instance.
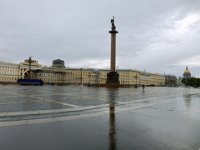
(159, 36)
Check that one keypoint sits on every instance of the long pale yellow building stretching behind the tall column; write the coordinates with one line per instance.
(58, 74)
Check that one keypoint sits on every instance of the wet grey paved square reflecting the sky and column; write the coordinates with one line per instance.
(71, 117)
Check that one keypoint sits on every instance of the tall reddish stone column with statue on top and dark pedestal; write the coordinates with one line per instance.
(113, 76)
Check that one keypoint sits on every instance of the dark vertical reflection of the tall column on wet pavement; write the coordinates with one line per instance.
(112, 93)
